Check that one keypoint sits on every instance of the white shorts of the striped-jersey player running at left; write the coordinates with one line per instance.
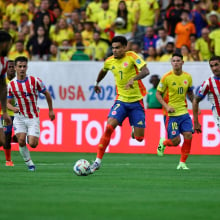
(30, 126)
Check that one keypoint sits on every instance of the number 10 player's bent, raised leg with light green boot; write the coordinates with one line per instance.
(173, 134)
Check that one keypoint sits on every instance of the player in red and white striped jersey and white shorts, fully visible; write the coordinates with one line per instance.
(24, 89)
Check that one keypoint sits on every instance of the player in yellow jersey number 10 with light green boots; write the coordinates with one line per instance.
(171, 93)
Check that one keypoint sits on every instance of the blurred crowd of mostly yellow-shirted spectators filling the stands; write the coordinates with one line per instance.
(65, 30)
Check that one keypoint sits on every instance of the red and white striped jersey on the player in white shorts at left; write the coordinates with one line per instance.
(25, 93)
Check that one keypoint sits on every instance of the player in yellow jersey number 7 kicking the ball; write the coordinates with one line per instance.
(128, 70)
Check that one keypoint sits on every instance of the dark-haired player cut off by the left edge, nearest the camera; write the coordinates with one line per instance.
(5, 44)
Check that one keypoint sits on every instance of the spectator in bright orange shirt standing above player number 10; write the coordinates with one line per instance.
(183, 30)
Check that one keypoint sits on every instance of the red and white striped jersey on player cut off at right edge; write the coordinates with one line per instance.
(211, 87)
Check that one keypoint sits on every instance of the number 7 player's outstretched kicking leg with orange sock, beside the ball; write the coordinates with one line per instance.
(116, 116)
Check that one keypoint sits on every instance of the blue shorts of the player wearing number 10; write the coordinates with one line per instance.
(176, 125)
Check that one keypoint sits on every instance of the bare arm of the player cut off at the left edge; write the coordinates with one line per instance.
(3, 99)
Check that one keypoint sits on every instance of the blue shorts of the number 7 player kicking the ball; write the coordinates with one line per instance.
(134, 111)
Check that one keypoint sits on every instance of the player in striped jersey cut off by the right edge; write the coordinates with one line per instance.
(210, 87)
